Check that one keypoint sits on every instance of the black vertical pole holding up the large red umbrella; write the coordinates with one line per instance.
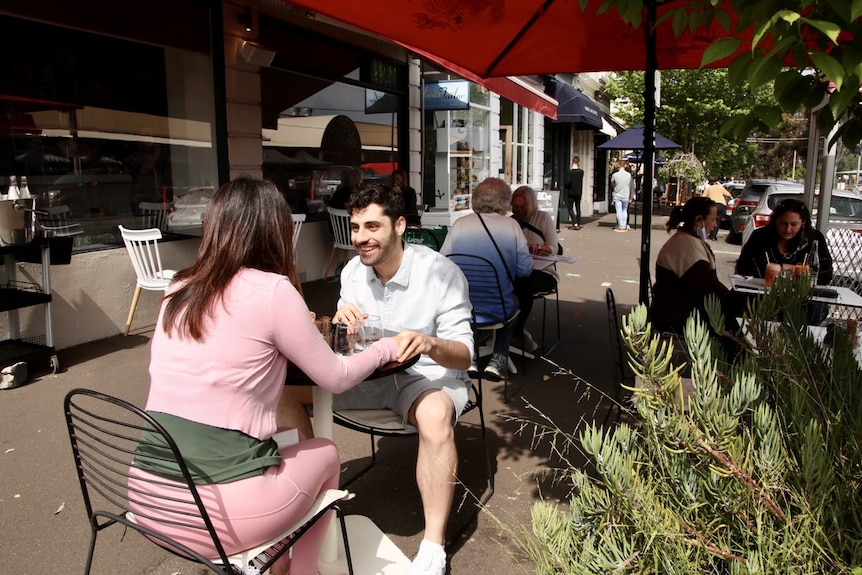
(649, 146)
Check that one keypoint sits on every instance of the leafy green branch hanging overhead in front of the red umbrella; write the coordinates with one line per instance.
(811, 49)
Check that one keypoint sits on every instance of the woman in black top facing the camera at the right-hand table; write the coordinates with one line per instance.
(787, 240)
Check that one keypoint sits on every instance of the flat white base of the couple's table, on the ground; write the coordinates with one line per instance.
(372, 552)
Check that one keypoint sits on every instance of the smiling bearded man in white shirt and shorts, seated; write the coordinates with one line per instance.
(424, 296)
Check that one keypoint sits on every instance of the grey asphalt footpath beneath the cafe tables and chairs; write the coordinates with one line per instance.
(44, 528)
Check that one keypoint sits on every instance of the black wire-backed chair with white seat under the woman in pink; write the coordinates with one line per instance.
(105, 432)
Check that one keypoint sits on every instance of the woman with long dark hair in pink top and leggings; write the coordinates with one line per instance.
(228, 328)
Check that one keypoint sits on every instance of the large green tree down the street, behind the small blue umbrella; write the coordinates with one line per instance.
(694, 106)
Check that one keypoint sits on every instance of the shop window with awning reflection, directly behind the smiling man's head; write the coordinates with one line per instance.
(327, 107)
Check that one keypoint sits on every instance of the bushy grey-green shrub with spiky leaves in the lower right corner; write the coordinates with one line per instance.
(758, 469)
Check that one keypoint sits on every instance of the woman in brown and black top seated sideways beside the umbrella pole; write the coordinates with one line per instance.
(685, 268)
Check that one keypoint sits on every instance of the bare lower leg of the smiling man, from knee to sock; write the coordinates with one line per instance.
(436, 466)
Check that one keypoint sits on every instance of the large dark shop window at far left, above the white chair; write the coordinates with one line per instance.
(100, 124)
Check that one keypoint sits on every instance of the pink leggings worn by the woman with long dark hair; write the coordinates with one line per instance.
(252, 511)
